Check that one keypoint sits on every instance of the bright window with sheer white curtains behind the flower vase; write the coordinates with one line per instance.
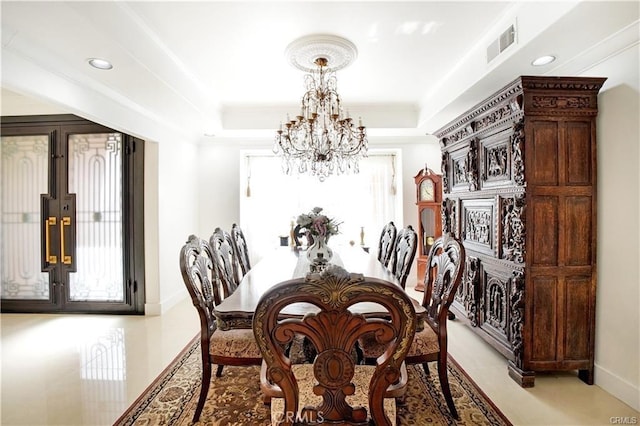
(271, 200)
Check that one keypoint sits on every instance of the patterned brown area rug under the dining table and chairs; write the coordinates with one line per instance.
(235, 398)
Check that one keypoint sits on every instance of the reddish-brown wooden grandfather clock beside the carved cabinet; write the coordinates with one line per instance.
(429, 202)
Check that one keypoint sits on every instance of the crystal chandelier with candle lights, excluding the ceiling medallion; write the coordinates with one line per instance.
(321, 140)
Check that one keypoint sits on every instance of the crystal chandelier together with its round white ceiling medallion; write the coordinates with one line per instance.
(322, 139)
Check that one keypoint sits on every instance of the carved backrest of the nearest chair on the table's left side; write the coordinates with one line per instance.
(196, 265)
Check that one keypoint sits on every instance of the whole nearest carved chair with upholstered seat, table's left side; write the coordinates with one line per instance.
(233, 347)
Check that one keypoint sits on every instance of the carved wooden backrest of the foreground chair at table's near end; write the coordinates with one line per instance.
(333, 331)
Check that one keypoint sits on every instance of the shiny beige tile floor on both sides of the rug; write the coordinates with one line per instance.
(86, 370)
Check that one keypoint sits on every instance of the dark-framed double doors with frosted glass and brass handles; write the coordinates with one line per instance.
(71, 226)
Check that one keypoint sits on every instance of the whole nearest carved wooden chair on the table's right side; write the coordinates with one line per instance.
(445, 268)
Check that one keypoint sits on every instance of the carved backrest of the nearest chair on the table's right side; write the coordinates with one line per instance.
(445, 267)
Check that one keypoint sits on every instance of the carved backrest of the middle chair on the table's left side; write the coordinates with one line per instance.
(225, 265)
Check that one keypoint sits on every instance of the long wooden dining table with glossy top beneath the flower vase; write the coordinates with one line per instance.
(285, 263)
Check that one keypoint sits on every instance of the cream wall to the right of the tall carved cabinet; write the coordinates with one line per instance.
(618, 295)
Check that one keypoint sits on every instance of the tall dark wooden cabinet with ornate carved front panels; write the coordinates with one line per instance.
(519, 184)
